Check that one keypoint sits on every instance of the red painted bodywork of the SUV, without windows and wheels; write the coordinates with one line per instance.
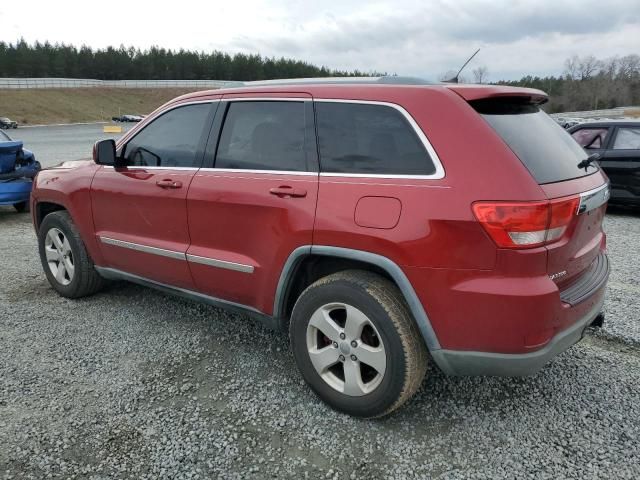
(477, 296)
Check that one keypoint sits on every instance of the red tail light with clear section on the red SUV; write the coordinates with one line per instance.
(526, 224)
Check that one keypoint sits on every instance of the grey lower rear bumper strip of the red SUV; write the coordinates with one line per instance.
(454, 362)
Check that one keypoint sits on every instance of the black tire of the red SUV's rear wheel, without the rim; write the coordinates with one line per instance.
(384, 306)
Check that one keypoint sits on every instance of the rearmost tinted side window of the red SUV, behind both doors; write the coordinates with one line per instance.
(369, 139)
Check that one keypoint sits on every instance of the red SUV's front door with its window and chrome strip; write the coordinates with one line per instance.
(140, 207)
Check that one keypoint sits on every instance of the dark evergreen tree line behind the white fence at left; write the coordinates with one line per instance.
(128, 63)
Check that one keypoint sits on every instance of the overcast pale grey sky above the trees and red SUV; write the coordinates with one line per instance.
(407, 37)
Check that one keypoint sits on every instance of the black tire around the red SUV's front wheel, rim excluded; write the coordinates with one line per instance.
(86, 279)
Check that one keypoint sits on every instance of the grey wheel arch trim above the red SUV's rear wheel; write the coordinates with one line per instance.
(292, 273)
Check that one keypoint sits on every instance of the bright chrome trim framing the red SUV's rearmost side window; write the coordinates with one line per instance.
(437, 175)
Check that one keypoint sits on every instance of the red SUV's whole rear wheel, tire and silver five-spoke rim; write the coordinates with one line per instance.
(356, 343)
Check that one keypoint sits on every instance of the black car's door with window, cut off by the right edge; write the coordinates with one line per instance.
(621, 163)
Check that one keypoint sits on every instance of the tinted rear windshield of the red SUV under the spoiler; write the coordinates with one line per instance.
(543, 146)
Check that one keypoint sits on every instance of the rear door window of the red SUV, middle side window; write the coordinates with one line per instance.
(263, 135)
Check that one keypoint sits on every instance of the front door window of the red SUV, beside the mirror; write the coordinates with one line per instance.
(170, 140)
